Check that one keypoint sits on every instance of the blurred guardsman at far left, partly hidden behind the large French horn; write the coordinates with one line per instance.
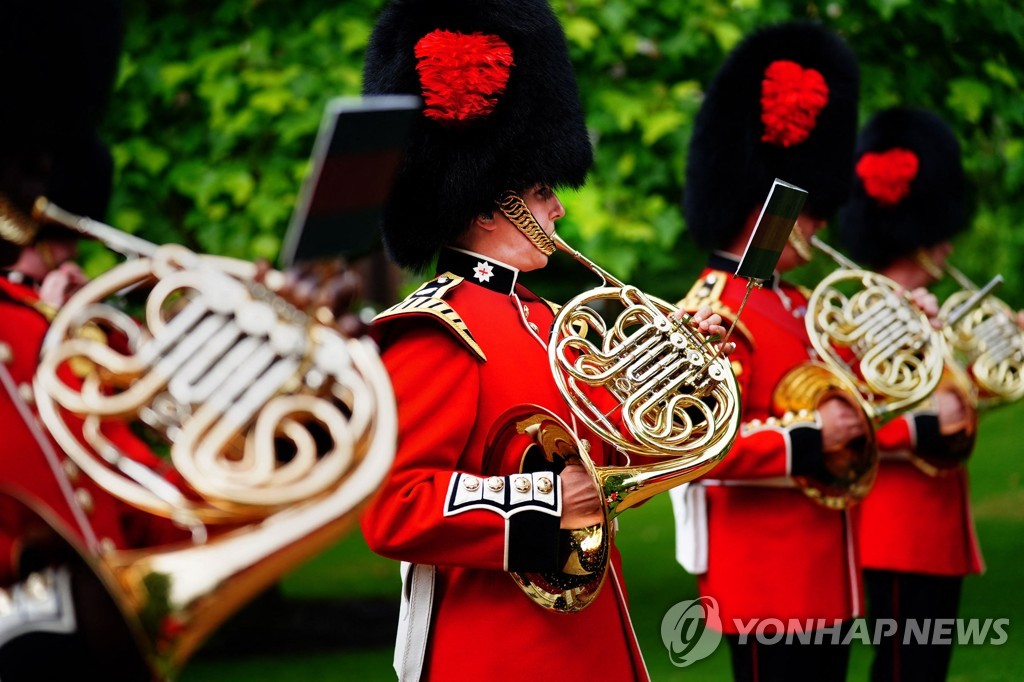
(59, 62)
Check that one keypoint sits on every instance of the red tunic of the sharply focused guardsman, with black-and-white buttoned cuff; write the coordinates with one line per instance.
(461, 351)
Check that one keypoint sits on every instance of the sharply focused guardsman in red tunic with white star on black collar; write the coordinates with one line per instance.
(502, 126)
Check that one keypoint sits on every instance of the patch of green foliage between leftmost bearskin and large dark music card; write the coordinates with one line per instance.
(216, 114)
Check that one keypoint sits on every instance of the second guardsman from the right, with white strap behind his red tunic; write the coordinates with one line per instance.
(783, 106)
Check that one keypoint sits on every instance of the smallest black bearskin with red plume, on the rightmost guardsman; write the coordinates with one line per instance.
(909, 192)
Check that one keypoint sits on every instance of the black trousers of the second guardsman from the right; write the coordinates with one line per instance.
(795, 662)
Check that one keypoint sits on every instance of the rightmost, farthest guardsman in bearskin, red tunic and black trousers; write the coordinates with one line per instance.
(917, 535)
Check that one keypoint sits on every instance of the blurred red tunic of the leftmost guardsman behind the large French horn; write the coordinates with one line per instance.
(36, 472)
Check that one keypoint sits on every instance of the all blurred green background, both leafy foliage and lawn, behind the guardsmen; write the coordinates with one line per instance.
(215, 117)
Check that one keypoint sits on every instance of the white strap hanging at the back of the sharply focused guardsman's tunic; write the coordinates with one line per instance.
(414, 620)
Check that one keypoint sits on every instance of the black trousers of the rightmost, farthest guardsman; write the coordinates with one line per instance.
(903, 598)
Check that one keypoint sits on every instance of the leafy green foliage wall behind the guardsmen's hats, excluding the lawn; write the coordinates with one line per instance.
(219, 104)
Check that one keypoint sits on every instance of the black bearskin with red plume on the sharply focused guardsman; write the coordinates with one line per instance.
(501, 112)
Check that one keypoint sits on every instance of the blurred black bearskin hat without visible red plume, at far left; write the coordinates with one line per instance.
(59, 62)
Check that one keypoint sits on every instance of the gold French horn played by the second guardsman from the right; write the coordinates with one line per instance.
(877, 351)
